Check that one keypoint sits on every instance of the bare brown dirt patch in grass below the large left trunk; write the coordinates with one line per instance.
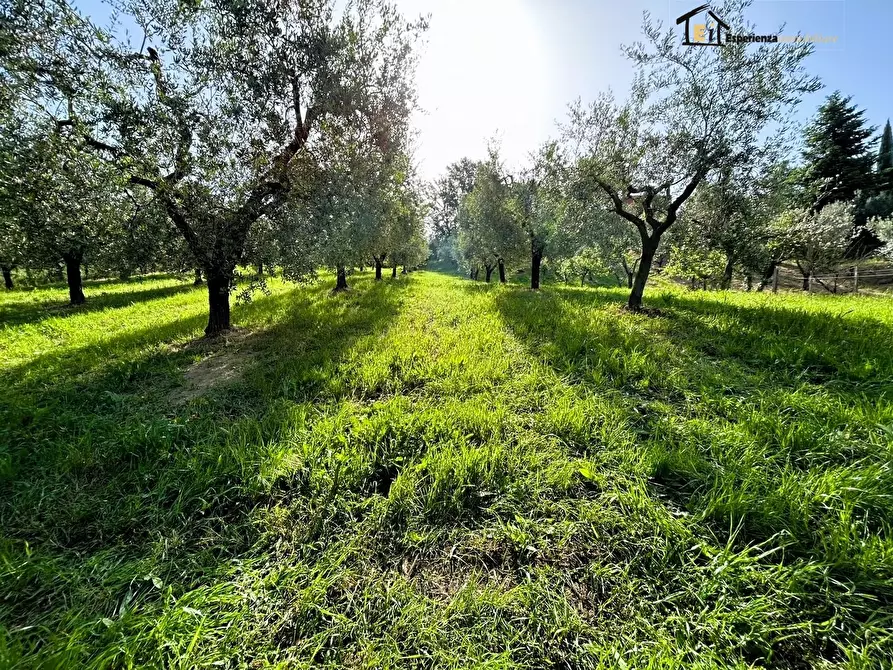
(226, 359)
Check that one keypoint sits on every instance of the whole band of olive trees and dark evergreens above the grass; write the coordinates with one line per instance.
(276, 136)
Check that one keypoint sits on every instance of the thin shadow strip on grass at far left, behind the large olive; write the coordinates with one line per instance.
(16, 313)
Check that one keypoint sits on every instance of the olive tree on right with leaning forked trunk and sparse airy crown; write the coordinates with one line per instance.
(692, 111)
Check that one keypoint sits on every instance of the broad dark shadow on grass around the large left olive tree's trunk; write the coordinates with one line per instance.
(100, 466)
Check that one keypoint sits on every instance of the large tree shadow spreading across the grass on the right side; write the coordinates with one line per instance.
(740, 409)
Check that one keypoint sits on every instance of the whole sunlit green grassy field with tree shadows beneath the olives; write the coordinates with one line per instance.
(430, 472)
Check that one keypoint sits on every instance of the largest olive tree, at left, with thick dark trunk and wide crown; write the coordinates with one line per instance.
(220, 106)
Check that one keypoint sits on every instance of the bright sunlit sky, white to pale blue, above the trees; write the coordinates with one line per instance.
(508, 68)
